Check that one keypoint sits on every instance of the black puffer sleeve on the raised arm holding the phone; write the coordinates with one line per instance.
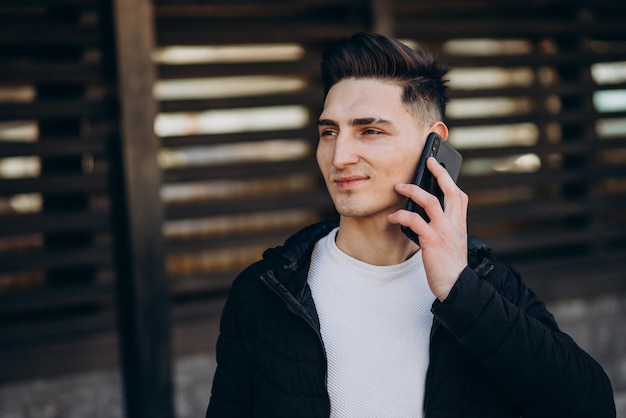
(516, 339)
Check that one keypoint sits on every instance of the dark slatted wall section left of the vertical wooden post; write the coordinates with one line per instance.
(58, 121)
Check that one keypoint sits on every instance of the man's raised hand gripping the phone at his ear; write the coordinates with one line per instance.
(444, 239)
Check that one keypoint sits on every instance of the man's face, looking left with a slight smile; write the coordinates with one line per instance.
(368, 143)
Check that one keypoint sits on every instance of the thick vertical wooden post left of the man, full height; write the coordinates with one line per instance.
(143, 313)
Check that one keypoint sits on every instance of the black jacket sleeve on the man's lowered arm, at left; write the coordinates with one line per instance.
(231, 393)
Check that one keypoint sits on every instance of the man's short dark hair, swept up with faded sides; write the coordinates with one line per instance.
(367, 55)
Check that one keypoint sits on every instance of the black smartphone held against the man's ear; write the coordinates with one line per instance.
(449, 158)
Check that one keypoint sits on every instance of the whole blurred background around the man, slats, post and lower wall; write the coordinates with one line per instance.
(151, 149)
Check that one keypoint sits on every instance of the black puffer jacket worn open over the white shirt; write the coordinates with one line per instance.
(495, 349)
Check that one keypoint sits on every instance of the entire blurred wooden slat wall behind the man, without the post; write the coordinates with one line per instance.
(561, 219)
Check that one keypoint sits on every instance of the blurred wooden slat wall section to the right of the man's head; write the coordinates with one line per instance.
(561, 220)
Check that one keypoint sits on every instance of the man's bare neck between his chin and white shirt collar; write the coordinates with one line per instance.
(375, 242)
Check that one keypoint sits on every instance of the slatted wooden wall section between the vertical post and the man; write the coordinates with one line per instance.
(211, 236)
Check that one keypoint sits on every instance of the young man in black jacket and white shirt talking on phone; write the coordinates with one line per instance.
(354, 319)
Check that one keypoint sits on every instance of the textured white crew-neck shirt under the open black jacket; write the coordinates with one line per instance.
(375, 323)
